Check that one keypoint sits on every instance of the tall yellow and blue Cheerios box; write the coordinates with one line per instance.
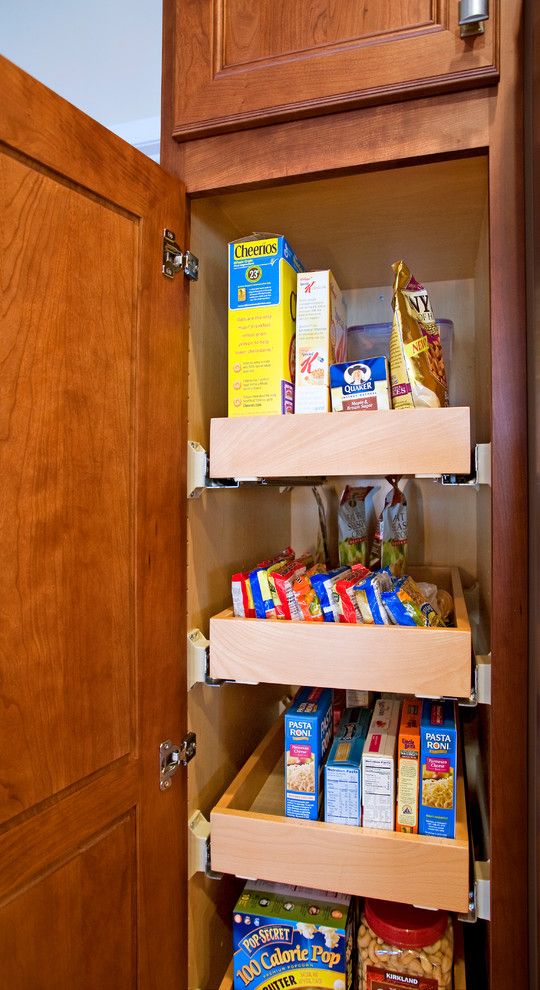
(262, 325)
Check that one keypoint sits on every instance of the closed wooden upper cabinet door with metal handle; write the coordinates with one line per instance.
(240, 63)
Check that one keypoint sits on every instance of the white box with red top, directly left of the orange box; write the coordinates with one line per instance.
(379, 766)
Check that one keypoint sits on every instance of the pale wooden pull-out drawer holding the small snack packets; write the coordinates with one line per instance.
(426, 662)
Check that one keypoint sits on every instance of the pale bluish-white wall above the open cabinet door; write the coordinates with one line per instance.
(102, 55)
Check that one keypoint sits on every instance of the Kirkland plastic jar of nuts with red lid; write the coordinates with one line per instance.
(402, 947)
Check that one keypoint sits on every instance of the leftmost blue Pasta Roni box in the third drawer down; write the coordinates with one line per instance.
(308, 734)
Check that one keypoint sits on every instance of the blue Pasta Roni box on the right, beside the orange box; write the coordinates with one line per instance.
(438, 759)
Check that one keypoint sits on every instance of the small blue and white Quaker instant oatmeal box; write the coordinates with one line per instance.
(360, 385)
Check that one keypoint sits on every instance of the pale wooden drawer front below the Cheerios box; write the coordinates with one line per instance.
(404, 441)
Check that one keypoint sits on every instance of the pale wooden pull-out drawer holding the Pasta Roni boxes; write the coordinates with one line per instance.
(251, 838)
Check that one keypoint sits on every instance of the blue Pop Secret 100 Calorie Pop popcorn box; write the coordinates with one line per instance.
(293, 937)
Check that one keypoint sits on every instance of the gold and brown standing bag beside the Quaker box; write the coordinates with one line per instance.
(416, 358)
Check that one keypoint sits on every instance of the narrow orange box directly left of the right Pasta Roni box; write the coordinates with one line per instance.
(408, 752)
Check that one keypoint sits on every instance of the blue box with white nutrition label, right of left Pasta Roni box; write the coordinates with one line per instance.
(343, 769)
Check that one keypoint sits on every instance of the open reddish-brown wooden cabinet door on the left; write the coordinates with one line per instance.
(92, 441)
